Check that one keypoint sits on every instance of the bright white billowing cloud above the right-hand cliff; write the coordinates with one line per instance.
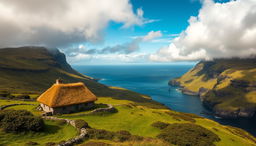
(220, 30)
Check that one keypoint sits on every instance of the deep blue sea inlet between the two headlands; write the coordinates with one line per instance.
(153, 80)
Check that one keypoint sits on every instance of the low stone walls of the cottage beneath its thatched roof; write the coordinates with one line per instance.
(68, 109)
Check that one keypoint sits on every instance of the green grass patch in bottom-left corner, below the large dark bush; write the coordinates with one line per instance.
(52, 133)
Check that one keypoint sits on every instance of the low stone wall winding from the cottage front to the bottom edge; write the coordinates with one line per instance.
(72, 141)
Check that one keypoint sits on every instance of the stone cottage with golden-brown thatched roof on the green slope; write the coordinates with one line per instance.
(66, 98)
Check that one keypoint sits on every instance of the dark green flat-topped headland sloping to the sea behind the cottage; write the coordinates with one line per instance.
(34, 69)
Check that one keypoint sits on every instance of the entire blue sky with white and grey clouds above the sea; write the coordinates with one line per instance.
(132, 31)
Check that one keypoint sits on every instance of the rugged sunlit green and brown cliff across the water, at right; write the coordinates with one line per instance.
(226, 86)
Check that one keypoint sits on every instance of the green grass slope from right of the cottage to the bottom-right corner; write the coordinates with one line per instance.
(138, 120)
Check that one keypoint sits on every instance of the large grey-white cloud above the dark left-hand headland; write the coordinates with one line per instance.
(57, 23)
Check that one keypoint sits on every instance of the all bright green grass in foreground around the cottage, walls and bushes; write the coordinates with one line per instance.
(136, 119)
